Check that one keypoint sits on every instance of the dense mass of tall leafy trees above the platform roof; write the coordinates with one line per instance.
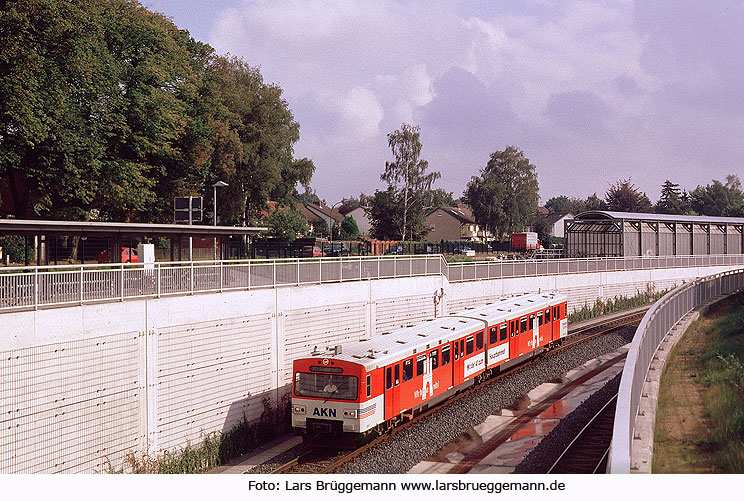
(108, 111)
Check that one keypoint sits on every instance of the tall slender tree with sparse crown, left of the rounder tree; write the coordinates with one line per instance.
(408, 178)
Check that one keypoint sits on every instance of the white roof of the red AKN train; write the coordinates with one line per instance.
(408, 341)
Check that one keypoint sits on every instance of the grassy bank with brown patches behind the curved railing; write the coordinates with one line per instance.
(700, 412)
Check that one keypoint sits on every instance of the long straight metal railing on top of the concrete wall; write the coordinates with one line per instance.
(35, 286)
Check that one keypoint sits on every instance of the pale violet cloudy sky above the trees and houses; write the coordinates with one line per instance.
(593, 92)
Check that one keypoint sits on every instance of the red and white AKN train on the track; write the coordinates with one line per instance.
(374, 385)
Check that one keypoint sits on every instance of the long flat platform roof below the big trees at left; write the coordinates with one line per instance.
(91, 228)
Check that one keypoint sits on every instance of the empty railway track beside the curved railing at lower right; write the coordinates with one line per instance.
(587, 452)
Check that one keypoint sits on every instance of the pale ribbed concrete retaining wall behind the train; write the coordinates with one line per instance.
(83, 386)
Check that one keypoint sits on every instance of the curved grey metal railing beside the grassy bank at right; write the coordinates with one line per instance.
(657, 322)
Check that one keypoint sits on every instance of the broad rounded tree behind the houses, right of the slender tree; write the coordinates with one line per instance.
(504, 197)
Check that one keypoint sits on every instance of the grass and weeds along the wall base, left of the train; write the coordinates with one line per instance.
(215, 449)
